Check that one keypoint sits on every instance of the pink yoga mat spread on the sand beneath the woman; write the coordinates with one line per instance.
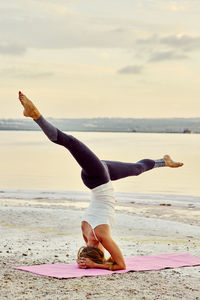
(136, 263)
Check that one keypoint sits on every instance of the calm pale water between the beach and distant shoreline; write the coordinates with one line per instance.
(31, 164)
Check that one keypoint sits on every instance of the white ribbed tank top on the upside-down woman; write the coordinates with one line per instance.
(101, 209)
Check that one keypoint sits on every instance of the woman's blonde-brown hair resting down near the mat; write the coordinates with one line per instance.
(95, 254)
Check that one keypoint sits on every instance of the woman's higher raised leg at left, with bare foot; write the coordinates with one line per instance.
(94, 172)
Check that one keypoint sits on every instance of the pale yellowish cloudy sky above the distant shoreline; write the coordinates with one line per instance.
(89, 58)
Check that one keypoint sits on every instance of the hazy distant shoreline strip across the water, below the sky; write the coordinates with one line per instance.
(169, 125)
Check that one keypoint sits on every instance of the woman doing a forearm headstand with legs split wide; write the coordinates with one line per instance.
(97, 176)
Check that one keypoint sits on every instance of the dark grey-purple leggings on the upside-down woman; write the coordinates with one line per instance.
(94, 172)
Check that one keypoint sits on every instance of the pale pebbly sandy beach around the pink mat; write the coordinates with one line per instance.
(48, 231)
